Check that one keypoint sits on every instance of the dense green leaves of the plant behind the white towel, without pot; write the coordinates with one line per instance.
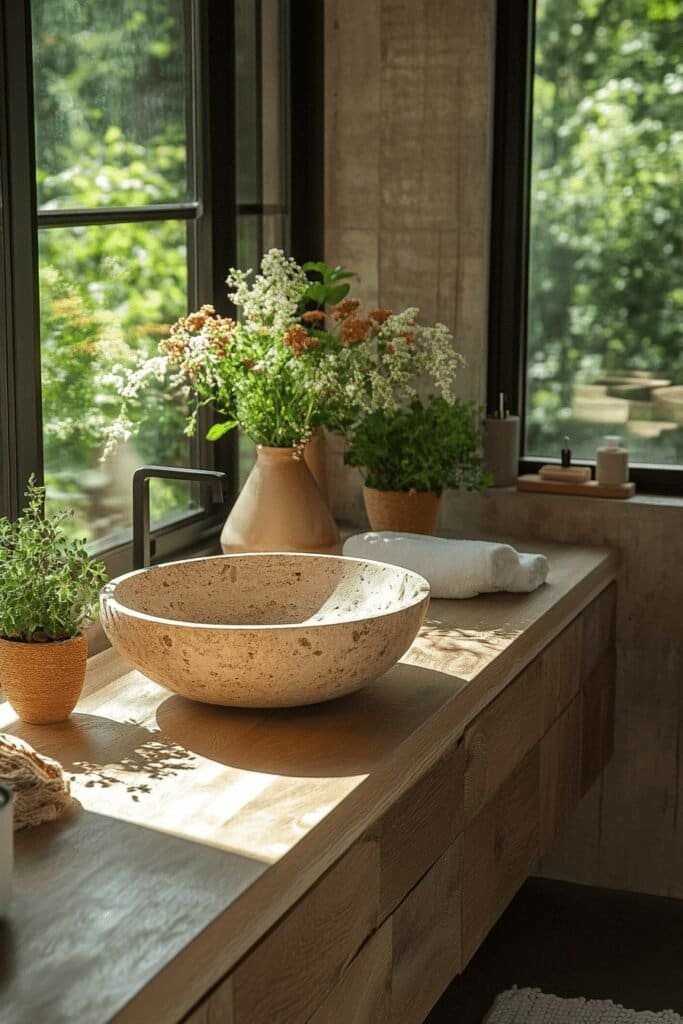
(426, 447)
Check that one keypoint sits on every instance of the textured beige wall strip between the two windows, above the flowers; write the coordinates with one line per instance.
(408, 153)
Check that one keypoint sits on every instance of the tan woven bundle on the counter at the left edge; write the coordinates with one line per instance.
(41, 792)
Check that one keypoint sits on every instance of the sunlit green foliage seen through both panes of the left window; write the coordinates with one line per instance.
(110, 84)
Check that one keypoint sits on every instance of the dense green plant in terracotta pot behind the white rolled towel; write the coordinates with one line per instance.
(410, 456)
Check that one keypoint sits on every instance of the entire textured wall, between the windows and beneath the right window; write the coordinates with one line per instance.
(409, 112)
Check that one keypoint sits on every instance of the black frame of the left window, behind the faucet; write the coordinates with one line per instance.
(212, 231)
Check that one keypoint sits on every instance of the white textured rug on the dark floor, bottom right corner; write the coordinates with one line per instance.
(531, 1006)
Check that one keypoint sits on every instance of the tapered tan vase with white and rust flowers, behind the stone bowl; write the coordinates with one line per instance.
(260, 374)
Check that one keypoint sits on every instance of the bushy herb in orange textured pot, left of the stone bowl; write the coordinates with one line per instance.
(50, 588)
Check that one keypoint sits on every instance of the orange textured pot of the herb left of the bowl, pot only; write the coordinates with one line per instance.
(44, 681)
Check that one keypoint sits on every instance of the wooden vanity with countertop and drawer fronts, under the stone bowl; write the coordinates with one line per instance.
(332, 864)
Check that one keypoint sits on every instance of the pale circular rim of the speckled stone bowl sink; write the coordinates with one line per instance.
(107, 594)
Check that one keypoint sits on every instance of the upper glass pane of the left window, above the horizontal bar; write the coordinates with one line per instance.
(111, 83)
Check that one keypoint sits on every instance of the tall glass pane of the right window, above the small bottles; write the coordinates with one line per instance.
(606, 314)
